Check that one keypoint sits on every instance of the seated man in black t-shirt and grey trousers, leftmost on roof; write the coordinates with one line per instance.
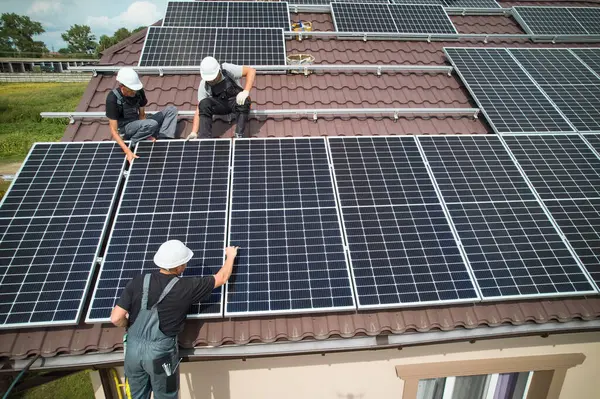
(125, 110)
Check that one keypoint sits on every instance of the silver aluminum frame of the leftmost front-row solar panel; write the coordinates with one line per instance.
(98, 248)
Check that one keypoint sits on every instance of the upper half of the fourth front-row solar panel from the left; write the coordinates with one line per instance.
(380, 172)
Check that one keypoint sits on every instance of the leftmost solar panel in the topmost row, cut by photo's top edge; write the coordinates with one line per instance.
(210, 14)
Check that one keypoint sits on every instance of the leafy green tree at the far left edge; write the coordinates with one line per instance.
(16, 35)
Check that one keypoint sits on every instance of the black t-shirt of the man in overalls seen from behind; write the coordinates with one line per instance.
(173, 309)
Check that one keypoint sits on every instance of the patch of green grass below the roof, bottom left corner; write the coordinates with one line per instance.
(75, 386)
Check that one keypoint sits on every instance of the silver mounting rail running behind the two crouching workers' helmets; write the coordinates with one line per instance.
(306, 69)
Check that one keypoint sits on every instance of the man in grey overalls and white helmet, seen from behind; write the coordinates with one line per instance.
(153, 307)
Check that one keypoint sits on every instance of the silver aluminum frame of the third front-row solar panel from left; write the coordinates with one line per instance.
(342, 236)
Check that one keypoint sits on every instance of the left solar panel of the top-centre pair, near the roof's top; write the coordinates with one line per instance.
(362, 18)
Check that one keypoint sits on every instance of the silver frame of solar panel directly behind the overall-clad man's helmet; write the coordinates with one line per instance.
(196, 316)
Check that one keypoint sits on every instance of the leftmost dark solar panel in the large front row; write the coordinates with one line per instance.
(52, 222)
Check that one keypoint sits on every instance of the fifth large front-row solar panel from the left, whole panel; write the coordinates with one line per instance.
(512, 246)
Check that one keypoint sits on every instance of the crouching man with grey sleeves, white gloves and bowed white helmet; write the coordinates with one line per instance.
(221, 93)
